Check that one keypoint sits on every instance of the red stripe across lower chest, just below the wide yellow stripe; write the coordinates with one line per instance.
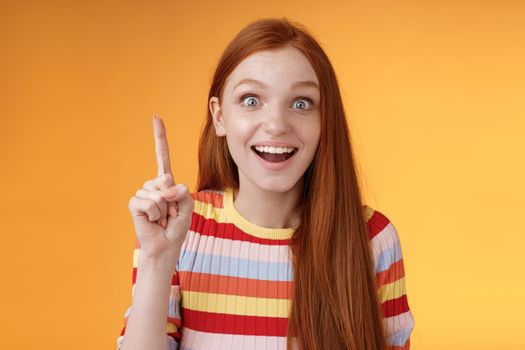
(234, 324)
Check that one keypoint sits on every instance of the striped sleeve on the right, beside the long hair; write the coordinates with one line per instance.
(398, 319)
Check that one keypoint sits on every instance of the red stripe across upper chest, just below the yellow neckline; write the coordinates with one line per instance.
(210, 227)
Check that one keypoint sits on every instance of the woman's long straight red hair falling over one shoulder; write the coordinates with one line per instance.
(335, 303)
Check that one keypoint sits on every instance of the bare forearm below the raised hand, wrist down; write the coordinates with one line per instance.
(146, 326)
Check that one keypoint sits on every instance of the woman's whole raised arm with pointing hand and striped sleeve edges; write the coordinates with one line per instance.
(162, 214)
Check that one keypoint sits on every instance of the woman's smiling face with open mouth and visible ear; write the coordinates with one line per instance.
(270, 106)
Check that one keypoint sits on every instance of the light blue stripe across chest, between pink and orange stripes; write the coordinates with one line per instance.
(234, 267)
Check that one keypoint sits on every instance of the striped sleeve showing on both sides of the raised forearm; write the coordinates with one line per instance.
(173, 322)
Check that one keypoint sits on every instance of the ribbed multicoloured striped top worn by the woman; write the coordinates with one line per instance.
(232, 286)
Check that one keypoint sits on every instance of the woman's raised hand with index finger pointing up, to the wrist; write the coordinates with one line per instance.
(161, 210)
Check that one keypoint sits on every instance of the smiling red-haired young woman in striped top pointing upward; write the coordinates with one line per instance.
(275, 250)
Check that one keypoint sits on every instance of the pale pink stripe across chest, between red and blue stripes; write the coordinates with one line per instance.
(243, 250)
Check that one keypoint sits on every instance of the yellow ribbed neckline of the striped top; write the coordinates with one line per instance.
(248, 226)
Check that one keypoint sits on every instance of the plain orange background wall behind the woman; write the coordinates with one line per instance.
(434, 92)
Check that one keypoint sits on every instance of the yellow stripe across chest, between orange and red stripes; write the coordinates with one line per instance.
(235, 305)
